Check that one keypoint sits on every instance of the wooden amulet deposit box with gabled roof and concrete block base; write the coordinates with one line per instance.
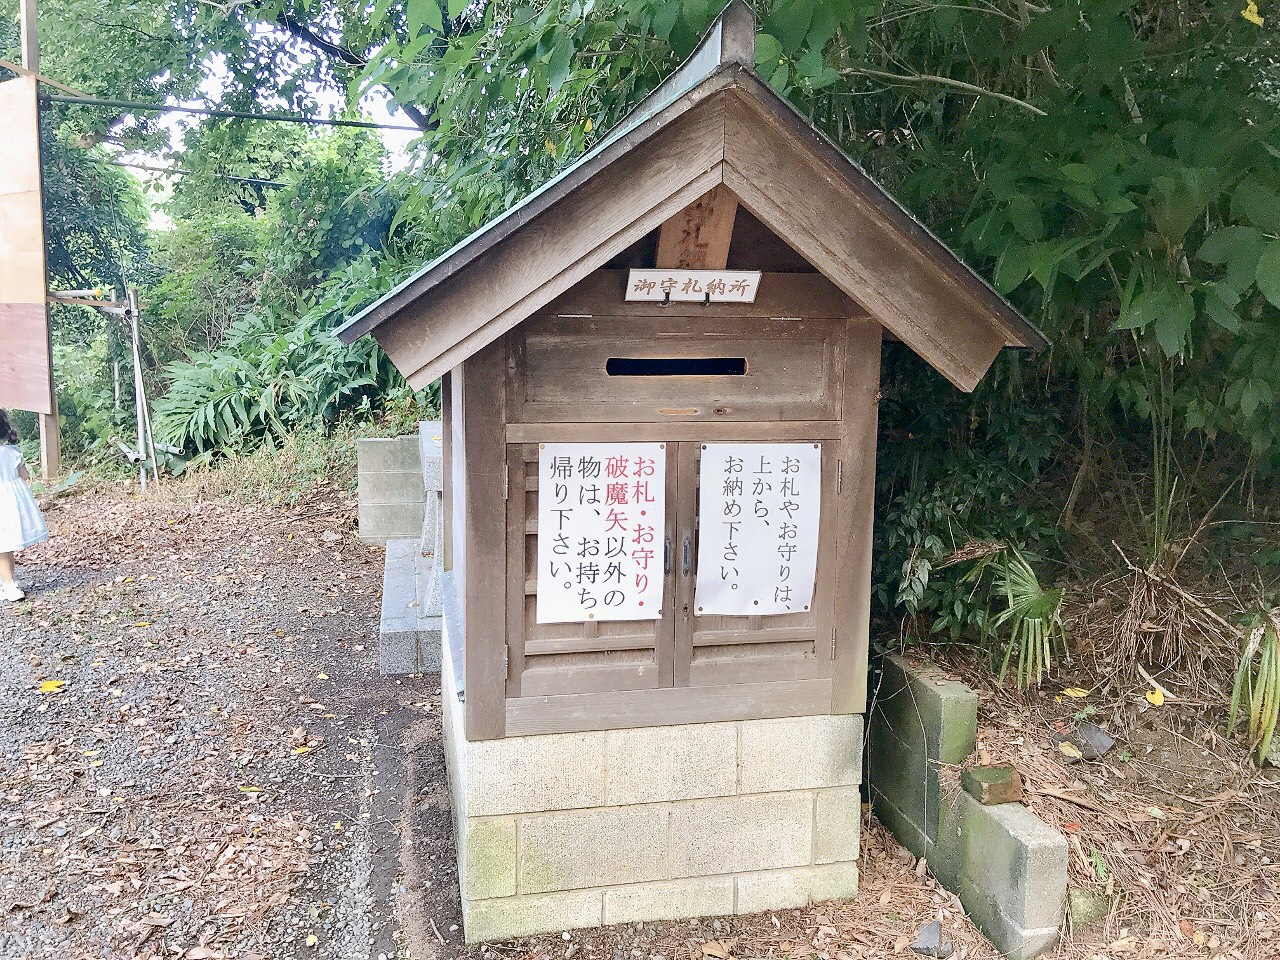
(628, 770)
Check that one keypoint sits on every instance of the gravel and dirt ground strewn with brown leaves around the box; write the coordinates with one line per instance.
(199, 760)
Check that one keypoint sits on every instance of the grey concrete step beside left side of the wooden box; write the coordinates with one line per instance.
(409, 636)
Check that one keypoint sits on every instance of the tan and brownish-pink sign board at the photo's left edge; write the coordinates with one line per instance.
(25, 365)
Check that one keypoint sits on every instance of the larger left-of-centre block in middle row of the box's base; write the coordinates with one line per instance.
(593, 848)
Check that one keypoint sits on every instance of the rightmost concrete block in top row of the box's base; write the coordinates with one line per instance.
(801, 753)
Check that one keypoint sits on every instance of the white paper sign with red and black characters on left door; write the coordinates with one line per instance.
(601, 522)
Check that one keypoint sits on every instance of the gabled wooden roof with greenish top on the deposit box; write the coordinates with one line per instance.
(714, 122)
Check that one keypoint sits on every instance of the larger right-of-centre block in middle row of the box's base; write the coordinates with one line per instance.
(740, 834)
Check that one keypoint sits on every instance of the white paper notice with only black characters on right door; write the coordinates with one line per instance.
(758, 509)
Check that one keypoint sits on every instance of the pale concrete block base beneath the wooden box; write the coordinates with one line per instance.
(561, 831)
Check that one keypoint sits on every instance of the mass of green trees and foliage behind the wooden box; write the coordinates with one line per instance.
(1110, 164)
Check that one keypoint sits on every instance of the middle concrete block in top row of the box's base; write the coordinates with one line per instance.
(653, 765)
